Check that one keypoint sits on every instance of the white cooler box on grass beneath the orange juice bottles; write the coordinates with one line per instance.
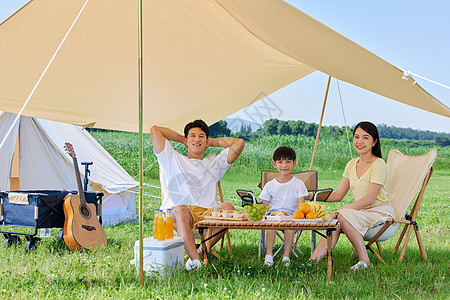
(160, 257)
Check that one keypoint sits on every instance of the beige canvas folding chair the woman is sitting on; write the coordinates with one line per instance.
(405, 175)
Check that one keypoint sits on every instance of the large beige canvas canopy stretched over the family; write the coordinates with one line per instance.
(202, 59)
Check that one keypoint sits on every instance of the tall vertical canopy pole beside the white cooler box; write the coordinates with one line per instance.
(141, 153)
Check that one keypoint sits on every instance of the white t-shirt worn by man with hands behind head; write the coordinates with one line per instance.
(191, 181)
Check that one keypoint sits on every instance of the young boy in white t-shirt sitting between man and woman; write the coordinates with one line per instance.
(283, 193)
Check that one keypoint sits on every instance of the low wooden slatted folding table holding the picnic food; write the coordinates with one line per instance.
(327, 225)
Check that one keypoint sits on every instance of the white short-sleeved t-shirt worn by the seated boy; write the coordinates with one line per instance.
(284, 196)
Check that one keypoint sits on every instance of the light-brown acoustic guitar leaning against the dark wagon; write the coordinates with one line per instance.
(81, 226)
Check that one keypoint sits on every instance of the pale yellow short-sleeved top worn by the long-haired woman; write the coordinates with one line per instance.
(377, 173)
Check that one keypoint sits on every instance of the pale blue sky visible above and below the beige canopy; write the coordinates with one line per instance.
(412, 35)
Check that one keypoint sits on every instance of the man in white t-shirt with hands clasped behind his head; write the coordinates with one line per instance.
(192, 180)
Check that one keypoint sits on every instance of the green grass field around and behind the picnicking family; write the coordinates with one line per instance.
(52, 271)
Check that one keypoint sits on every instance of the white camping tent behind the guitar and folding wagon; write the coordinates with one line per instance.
(33, 158)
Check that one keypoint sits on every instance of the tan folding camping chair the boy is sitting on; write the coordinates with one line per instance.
(310, 180)
